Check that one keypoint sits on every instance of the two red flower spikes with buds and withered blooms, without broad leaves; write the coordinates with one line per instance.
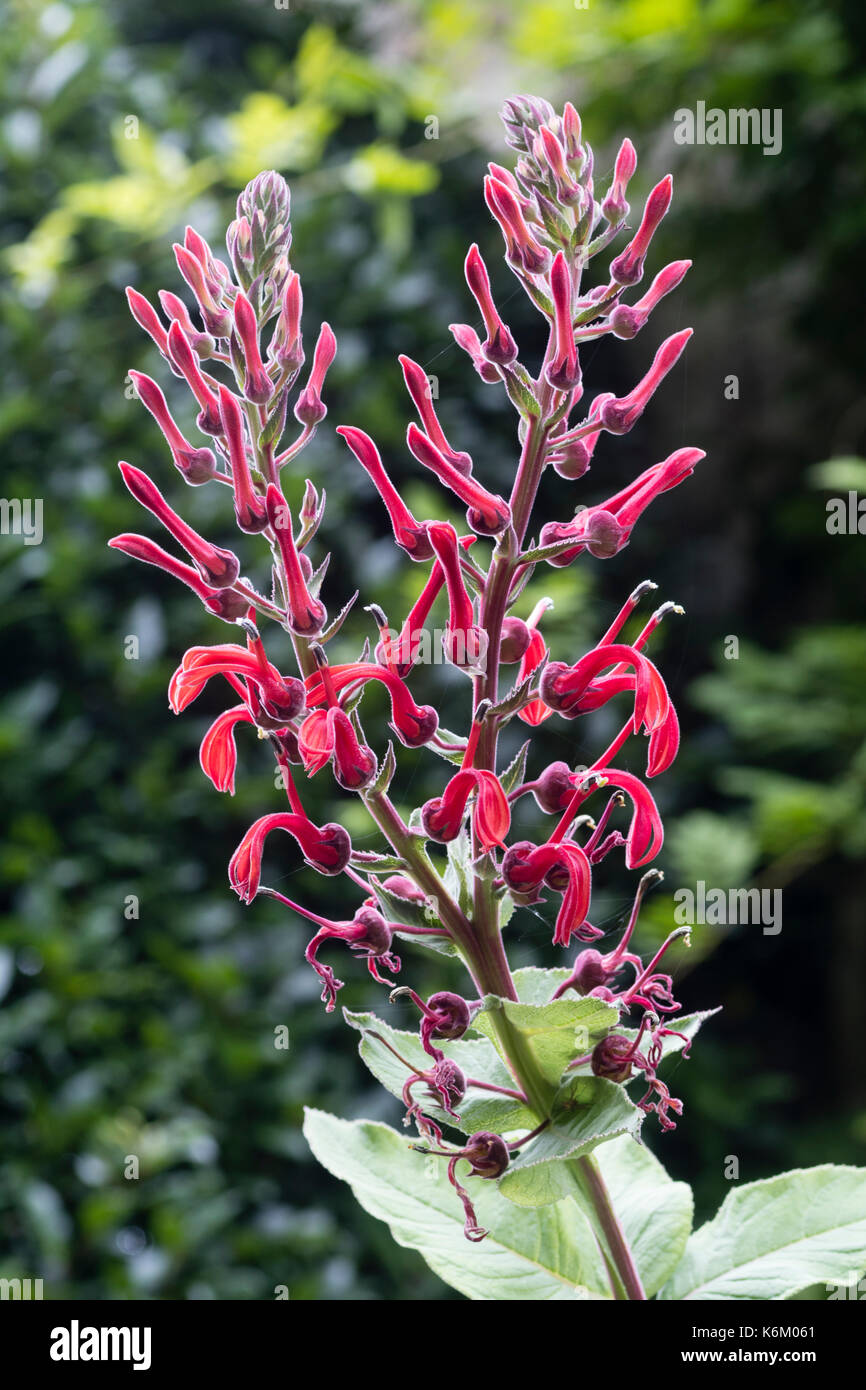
(241, 350)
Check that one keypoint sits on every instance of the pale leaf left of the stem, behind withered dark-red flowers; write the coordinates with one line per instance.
(480, 1110)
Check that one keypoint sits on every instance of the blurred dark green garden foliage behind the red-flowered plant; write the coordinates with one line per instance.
(149, 1028)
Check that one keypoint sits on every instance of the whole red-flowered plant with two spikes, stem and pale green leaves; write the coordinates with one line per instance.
(526, 1177)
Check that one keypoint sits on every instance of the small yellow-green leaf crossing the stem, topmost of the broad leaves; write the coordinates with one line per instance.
(557, 1033)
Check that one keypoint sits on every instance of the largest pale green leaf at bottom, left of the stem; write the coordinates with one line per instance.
(529, 1254)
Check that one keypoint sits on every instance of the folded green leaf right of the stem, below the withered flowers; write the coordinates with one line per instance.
(587, 1111)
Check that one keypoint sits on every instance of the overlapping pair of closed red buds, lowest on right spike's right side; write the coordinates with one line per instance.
(607, 529)
